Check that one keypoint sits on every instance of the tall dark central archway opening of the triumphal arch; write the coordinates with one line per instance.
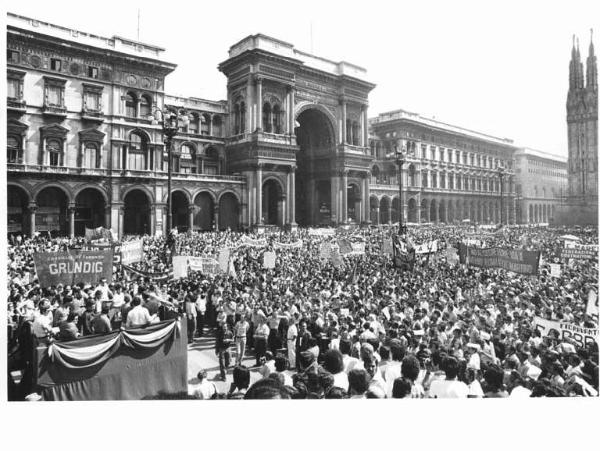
(315, 138)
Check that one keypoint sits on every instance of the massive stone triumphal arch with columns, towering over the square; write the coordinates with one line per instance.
(298, 131)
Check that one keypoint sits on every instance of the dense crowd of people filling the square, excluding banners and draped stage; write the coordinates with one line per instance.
(355, 329)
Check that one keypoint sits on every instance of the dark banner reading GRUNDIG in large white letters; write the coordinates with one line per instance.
(72, 267)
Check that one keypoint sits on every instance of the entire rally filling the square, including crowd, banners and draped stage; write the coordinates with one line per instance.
(424, 311)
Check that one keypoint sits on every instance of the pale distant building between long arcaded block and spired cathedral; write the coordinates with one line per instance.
(541, 185)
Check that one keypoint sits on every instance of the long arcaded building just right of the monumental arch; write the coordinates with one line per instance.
(451, 174)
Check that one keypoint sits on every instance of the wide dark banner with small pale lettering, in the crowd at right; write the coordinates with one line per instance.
(515, 260)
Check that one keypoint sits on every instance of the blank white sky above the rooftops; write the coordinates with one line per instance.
(499, 68)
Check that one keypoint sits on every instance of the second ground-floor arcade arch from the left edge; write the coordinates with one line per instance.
(51, 215)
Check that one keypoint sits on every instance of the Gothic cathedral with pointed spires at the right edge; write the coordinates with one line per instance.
(582, 128)
